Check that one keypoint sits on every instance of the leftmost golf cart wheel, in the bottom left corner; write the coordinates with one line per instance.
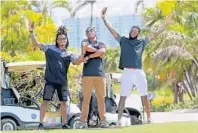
(8, 125)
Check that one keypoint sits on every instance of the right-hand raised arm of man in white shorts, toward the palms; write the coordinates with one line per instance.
(160, 29)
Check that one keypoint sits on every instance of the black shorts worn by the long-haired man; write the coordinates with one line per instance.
(49, 90)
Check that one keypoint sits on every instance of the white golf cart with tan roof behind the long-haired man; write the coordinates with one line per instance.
(18, 112)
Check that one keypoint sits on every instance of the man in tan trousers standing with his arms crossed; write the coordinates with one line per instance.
(93, 75)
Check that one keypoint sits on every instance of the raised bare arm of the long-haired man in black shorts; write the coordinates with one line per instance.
(33, 38)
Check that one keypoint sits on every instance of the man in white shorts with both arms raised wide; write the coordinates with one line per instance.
(132, 48)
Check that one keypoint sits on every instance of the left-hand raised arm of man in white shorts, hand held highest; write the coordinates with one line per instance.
(108, 25)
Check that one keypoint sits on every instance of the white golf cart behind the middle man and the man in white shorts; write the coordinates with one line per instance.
(132, 114)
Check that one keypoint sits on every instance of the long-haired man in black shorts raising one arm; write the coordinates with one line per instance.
(58, 59)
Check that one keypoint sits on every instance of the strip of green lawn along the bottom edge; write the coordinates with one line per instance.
(176, 127)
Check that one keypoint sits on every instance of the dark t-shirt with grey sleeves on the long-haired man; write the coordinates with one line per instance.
(57, 63)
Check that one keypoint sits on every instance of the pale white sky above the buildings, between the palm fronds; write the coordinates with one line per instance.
(115, 7)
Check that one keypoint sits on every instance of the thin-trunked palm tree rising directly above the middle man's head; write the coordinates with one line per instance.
(81, 4)
